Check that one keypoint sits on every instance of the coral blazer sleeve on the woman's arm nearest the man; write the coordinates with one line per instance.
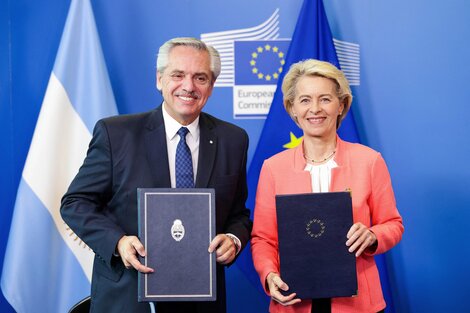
(264, 242)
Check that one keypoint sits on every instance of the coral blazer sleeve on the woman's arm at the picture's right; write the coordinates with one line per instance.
(387, 223)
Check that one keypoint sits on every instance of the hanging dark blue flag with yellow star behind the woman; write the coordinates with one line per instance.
(312, 39)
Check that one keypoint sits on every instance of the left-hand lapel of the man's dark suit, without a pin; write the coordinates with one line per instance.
(157, 155)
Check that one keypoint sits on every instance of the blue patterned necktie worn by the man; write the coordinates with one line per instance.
(183, 162)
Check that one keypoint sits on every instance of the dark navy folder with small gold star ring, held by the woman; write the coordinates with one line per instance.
(314, 258)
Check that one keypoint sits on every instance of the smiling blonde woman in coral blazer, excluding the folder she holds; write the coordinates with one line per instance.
(317, 97)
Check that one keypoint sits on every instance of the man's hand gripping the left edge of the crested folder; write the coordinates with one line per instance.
(128, 247)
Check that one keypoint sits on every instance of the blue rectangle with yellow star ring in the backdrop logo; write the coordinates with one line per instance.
(259, 62)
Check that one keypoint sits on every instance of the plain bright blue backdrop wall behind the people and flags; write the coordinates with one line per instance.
(410, 104)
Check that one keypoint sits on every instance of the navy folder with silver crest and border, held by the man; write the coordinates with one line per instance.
(176, 227)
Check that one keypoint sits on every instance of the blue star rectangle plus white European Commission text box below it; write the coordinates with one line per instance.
(258, 66)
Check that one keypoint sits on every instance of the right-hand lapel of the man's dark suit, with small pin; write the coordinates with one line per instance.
(207, 151)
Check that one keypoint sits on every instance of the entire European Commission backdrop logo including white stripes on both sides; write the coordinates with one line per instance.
(253, 59)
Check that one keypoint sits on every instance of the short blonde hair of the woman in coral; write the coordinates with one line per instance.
(314, 67)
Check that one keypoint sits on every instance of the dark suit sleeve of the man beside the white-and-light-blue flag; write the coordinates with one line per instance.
(84, 206)
